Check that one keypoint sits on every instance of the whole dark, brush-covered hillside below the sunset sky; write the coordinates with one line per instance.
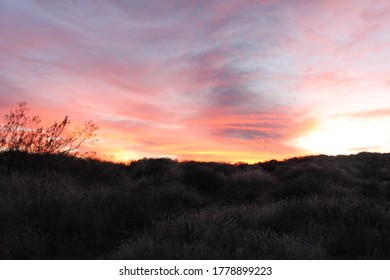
(318, 207)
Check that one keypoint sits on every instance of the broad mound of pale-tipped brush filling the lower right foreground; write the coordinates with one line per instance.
(310, 228)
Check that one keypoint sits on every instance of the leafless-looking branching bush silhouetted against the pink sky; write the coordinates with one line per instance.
(22, 132)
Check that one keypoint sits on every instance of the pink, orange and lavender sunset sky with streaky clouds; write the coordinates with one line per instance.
(231, 81)
